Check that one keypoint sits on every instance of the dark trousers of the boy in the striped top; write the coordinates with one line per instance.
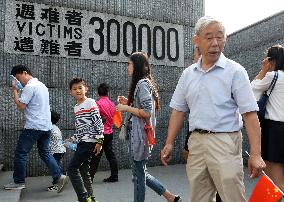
(78, 170)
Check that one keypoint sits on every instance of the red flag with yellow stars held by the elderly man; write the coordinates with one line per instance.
(265, 191)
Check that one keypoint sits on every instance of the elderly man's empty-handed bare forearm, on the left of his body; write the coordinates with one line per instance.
(175, 124)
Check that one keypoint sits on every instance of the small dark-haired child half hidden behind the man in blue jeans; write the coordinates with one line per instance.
(57, 148)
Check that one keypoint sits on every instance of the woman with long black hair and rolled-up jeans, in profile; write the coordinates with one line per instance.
(142, 102)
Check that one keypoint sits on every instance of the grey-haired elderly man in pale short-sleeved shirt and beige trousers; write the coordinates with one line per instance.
(216, 91)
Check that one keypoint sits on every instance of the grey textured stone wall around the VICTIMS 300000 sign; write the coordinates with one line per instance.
(56, 72)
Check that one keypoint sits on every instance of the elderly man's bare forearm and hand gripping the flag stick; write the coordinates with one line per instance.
(255, 162)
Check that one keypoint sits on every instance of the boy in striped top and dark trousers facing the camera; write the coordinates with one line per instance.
(89, 138)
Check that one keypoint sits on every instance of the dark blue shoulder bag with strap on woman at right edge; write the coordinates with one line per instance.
(264, 98)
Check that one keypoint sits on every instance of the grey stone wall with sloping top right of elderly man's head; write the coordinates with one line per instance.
(247, 46)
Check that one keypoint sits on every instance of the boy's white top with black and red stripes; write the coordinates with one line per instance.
(88, 122)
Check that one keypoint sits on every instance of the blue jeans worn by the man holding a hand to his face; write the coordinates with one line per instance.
(25, 143)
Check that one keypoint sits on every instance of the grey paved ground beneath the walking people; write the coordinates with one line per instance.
(174, 177)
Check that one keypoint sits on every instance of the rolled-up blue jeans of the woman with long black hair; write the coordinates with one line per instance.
(141, 178)
